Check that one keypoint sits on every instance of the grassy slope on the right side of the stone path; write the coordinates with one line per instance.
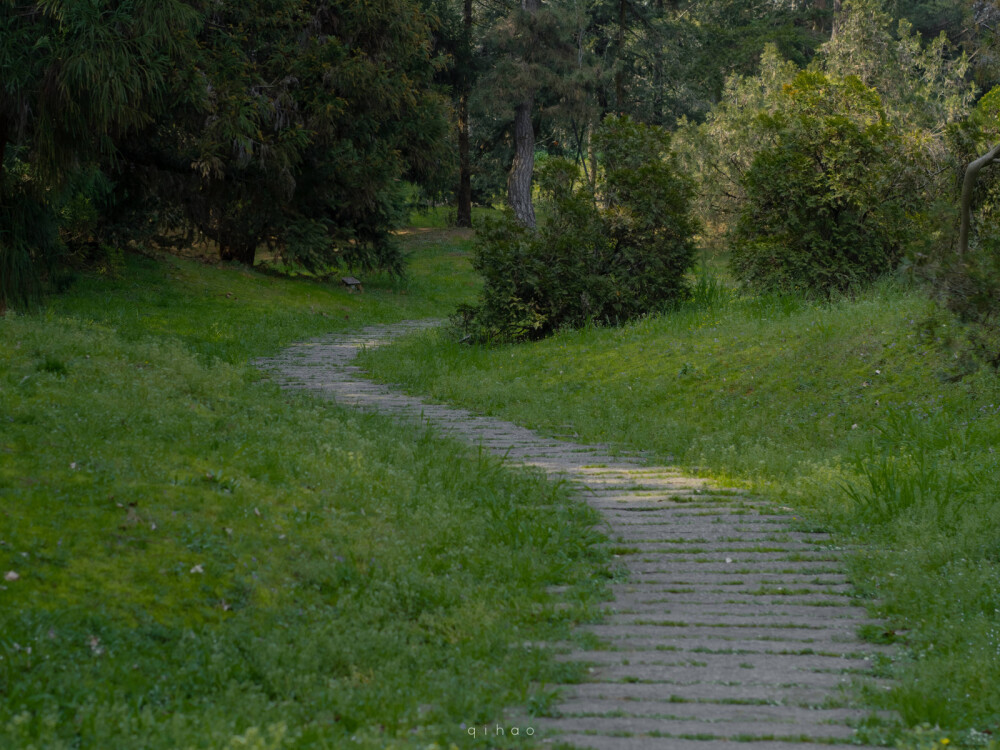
(849, 411)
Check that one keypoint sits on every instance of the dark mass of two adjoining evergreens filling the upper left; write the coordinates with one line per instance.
(271, 123)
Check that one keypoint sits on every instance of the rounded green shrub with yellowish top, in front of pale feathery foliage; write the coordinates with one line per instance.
(830, 198)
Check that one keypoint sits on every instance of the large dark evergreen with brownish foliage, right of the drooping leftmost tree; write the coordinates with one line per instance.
(292, 128)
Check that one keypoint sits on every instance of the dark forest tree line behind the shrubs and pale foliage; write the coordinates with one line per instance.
(292, 124)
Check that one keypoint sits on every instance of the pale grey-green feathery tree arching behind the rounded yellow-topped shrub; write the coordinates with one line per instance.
(922, 87)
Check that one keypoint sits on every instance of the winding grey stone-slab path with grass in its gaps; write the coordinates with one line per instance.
(733, 630)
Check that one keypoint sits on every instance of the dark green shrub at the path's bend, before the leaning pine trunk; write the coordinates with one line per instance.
(605, 259)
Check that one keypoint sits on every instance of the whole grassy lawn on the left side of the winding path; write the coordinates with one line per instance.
(205, 561)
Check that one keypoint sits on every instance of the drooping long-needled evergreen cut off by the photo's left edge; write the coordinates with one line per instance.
(77, 76)
